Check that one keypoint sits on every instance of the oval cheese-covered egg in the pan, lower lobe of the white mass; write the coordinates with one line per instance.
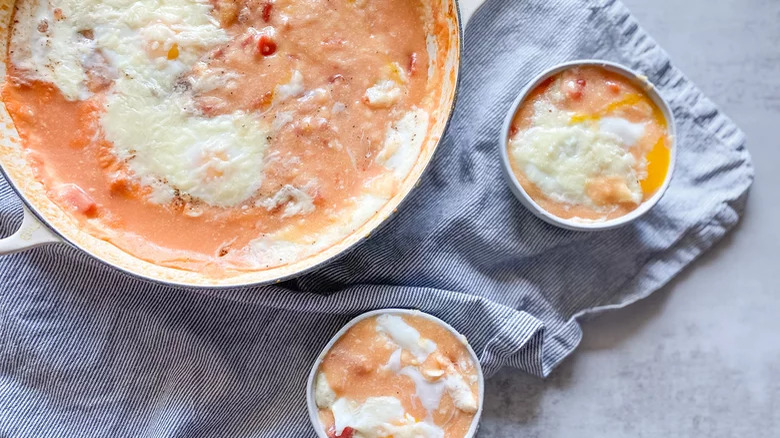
(214, 159)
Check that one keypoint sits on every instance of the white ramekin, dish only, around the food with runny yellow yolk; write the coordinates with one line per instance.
(587, 225)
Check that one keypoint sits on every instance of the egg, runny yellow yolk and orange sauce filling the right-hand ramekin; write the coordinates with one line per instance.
(589, 144)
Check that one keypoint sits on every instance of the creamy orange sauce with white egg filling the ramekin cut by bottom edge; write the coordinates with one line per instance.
(387, 376)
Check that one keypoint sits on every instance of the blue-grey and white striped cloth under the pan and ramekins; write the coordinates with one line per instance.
(87, 351)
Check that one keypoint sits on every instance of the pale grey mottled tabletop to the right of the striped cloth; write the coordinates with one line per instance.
(700, 358)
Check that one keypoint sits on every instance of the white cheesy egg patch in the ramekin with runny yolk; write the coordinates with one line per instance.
(563, 158)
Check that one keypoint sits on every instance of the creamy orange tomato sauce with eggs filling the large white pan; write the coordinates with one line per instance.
(222, 136)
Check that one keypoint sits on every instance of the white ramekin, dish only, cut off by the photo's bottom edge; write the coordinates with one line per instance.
(312, 405)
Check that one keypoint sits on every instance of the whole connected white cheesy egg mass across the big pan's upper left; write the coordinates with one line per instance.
(154, 127)
